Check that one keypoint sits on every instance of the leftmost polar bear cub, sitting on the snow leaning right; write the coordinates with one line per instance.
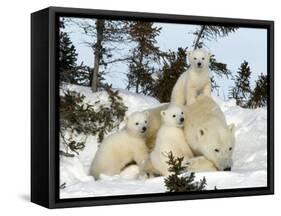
(123, 147)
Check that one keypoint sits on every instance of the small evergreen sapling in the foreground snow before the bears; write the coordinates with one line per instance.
(179, 180)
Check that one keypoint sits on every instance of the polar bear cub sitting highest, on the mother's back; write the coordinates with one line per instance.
(195, 81)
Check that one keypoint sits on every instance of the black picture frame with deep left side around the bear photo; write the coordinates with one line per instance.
(45, 100)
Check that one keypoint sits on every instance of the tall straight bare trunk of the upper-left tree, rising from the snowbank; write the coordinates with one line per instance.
(97, 54)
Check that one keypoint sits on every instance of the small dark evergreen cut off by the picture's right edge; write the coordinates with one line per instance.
(259, 95)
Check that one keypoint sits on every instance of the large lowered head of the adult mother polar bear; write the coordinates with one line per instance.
(217, 145)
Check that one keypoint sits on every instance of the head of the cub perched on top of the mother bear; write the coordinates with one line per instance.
(199, 59)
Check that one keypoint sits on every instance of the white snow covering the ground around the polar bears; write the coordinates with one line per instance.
(249, 156)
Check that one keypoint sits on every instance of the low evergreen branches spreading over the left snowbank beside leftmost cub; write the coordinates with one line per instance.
(79, 117)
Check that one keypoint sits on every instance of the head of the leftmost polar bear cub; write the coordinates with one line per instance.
(137, 123)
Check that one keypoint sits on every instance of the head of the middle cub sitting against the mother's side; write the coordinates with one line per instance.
(173, 116)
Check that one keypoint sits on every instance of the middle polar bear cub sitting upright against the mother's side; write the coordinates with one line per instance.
(170, 138)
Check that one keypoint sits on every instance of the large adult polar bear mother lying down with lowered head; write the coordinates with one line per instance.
(206, 132)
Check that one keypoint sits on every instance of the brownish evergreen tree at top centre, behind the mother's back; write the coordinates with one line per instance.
(144, 56)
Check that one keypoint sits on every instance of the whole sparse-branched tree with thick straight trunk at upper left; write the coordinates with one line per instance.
(103, 36)
